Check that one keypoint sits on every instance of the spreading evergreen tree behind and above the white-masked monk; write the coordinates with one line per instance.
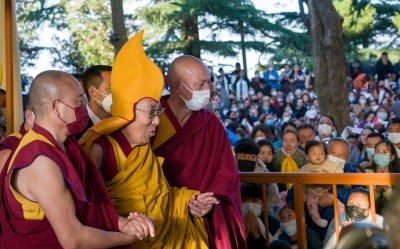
(175, 28)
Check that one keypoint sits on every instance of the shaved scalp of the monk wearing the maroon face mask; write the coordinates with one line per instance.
(49, 85)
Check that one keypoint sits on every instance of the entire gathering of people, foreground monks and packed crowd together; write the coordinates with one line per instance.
(155, 171)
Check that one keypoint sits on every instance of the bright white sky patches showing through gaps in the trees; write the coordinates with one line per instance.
(44, 60)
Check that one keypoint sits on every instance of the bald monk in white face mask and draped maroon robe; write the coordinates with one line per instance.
(197, 151)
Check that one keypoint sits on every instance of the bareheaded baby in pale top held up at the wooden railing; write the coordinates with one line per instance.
(316, 154)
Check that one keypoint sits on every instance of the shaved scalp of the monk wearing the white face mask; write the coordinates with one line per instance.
(183, 68)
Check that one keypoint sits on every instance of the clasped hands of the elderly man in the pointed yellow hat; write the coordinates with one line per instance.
(202, 204)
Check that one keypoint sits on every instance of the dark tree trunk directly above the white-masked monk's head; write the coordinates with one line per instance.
(191, 37)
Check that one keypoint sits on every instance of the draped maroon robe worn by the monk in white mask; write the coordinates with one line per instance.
(200, 157)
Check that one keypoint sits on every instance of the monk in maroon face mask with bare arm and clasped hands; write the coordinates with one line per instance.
(52, 195)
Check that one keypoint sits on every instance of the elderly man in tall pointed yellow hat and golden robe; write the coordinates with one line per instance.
(119, 146)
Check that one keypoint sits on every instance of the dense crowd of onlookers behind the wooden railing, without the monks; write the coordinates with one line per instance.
(275, 118)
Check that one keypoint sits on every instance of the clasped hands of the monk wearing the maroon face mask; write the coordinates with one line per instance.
(138, 226)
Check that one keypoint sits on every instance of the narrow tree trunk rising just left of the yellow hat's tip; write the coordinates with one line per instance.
(119, 36)
